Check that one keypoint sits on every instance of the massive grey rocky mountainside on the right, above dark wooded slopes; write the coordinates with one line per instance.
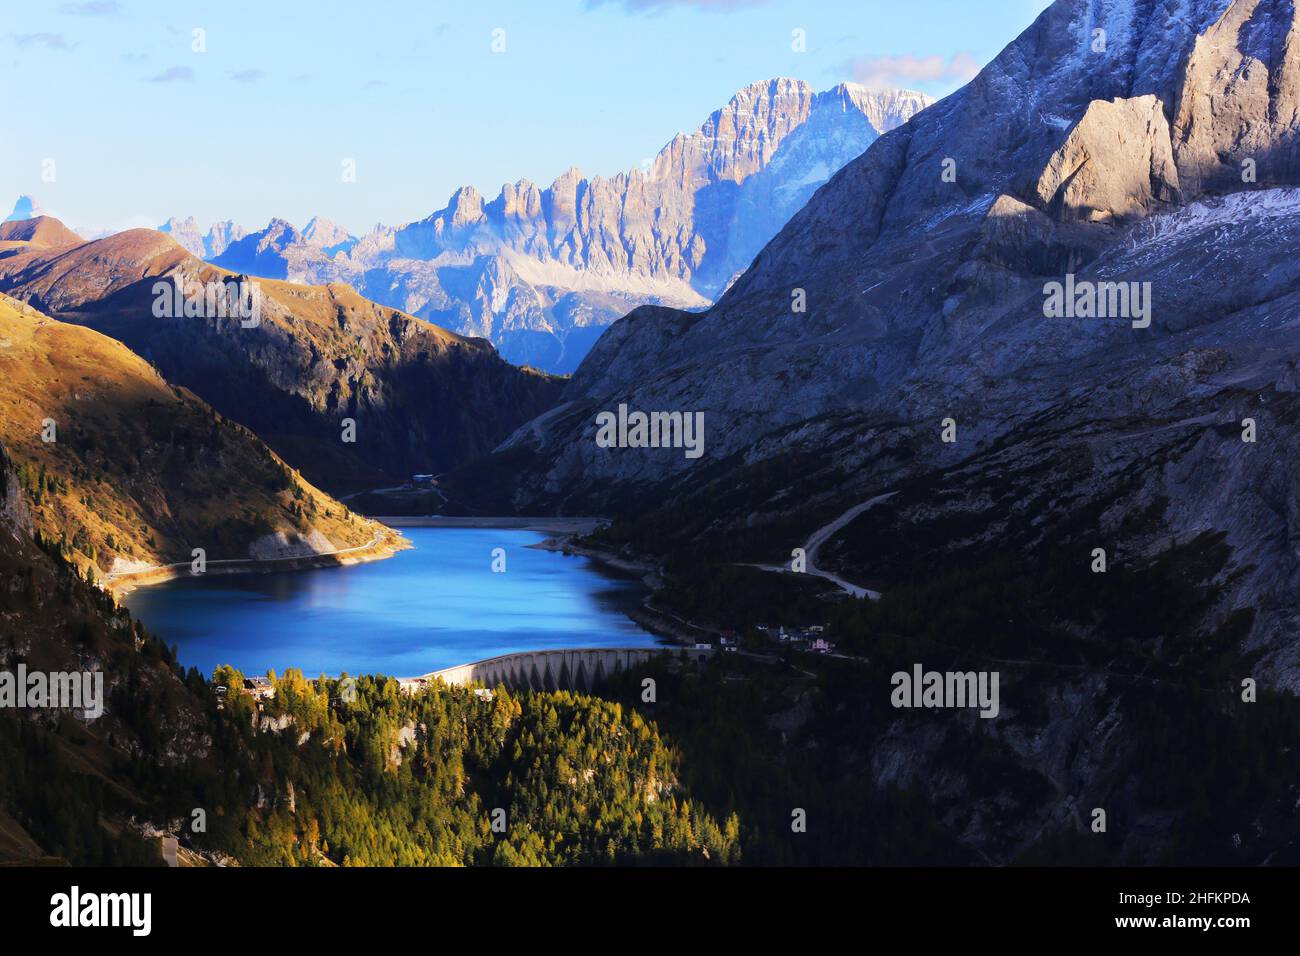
(1160, 152)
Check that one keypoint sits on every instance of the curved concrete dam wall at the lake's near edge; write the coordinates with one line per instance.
(575, 669)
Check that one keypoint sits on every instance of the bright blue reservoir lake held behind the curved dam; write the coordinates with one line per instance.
(434, 607)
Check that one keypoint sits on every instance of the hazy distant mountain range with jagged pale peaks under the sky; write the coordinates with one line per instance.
(541, 272)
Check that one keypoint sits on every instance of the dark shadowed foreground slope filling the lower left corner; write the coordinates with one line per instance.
(67, 785)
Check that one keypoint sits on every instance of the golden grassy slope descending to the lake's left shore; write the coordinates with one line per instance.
(141, 471)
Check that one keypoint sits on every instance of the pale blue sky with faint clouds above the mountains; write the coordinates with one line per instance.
(140, 127)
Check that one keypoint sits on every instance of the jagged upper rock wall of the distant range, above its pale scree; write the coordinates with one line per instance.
(677, 222)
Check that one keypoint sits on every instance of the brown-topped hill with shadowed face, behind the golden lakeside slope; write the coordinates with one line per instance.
(423, 399)
